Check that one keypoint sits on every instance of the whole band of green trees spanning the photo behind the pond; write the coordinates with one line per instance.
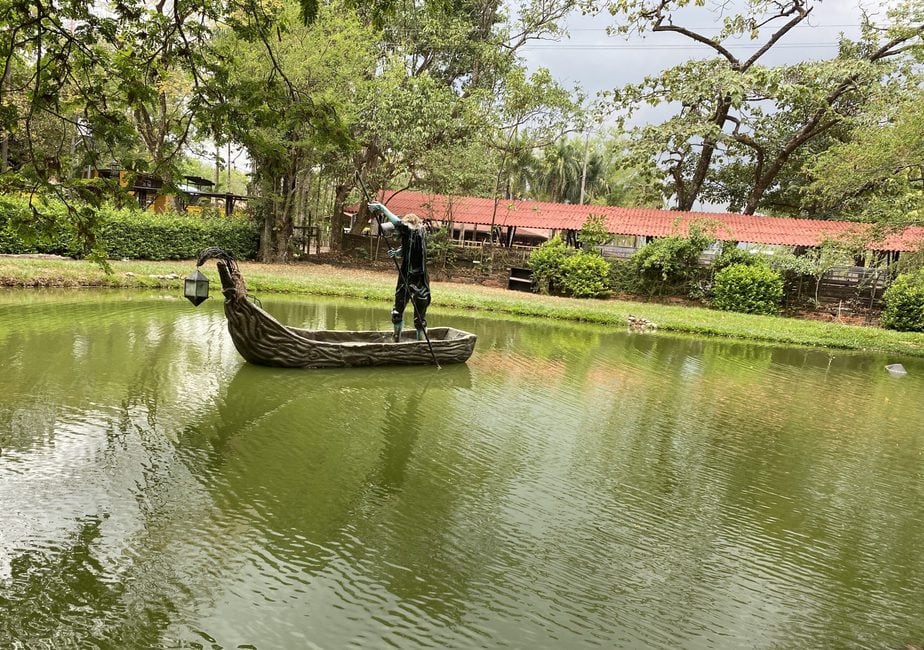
(434, 95)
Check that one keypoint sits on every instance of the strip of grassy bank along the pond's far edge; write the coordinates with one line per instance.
(322, 280)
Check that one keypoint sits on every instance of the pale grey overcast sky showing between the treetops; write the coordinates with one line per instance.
(596, 61)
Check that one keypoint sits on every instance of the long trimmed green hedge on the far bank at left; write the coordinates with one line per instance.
(123, 233)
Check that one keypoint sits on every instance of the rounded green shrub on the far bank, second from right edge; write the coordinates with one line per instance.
(748, 288)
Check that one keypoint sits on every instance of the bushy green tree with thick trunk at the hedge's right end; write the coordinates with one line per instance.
(288, 94)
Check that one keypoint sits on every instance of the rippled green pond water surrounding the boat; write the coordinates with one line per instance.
(569, 487)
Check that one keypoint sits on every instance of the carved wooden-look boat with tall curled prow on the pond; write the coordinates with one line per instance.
(263, 340)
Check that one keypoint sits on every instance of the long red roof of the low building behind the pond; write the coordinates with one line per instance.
(635, 221)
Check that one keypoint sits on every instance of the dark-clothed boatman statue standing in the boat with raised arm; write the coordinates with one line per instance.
(413, 280)
